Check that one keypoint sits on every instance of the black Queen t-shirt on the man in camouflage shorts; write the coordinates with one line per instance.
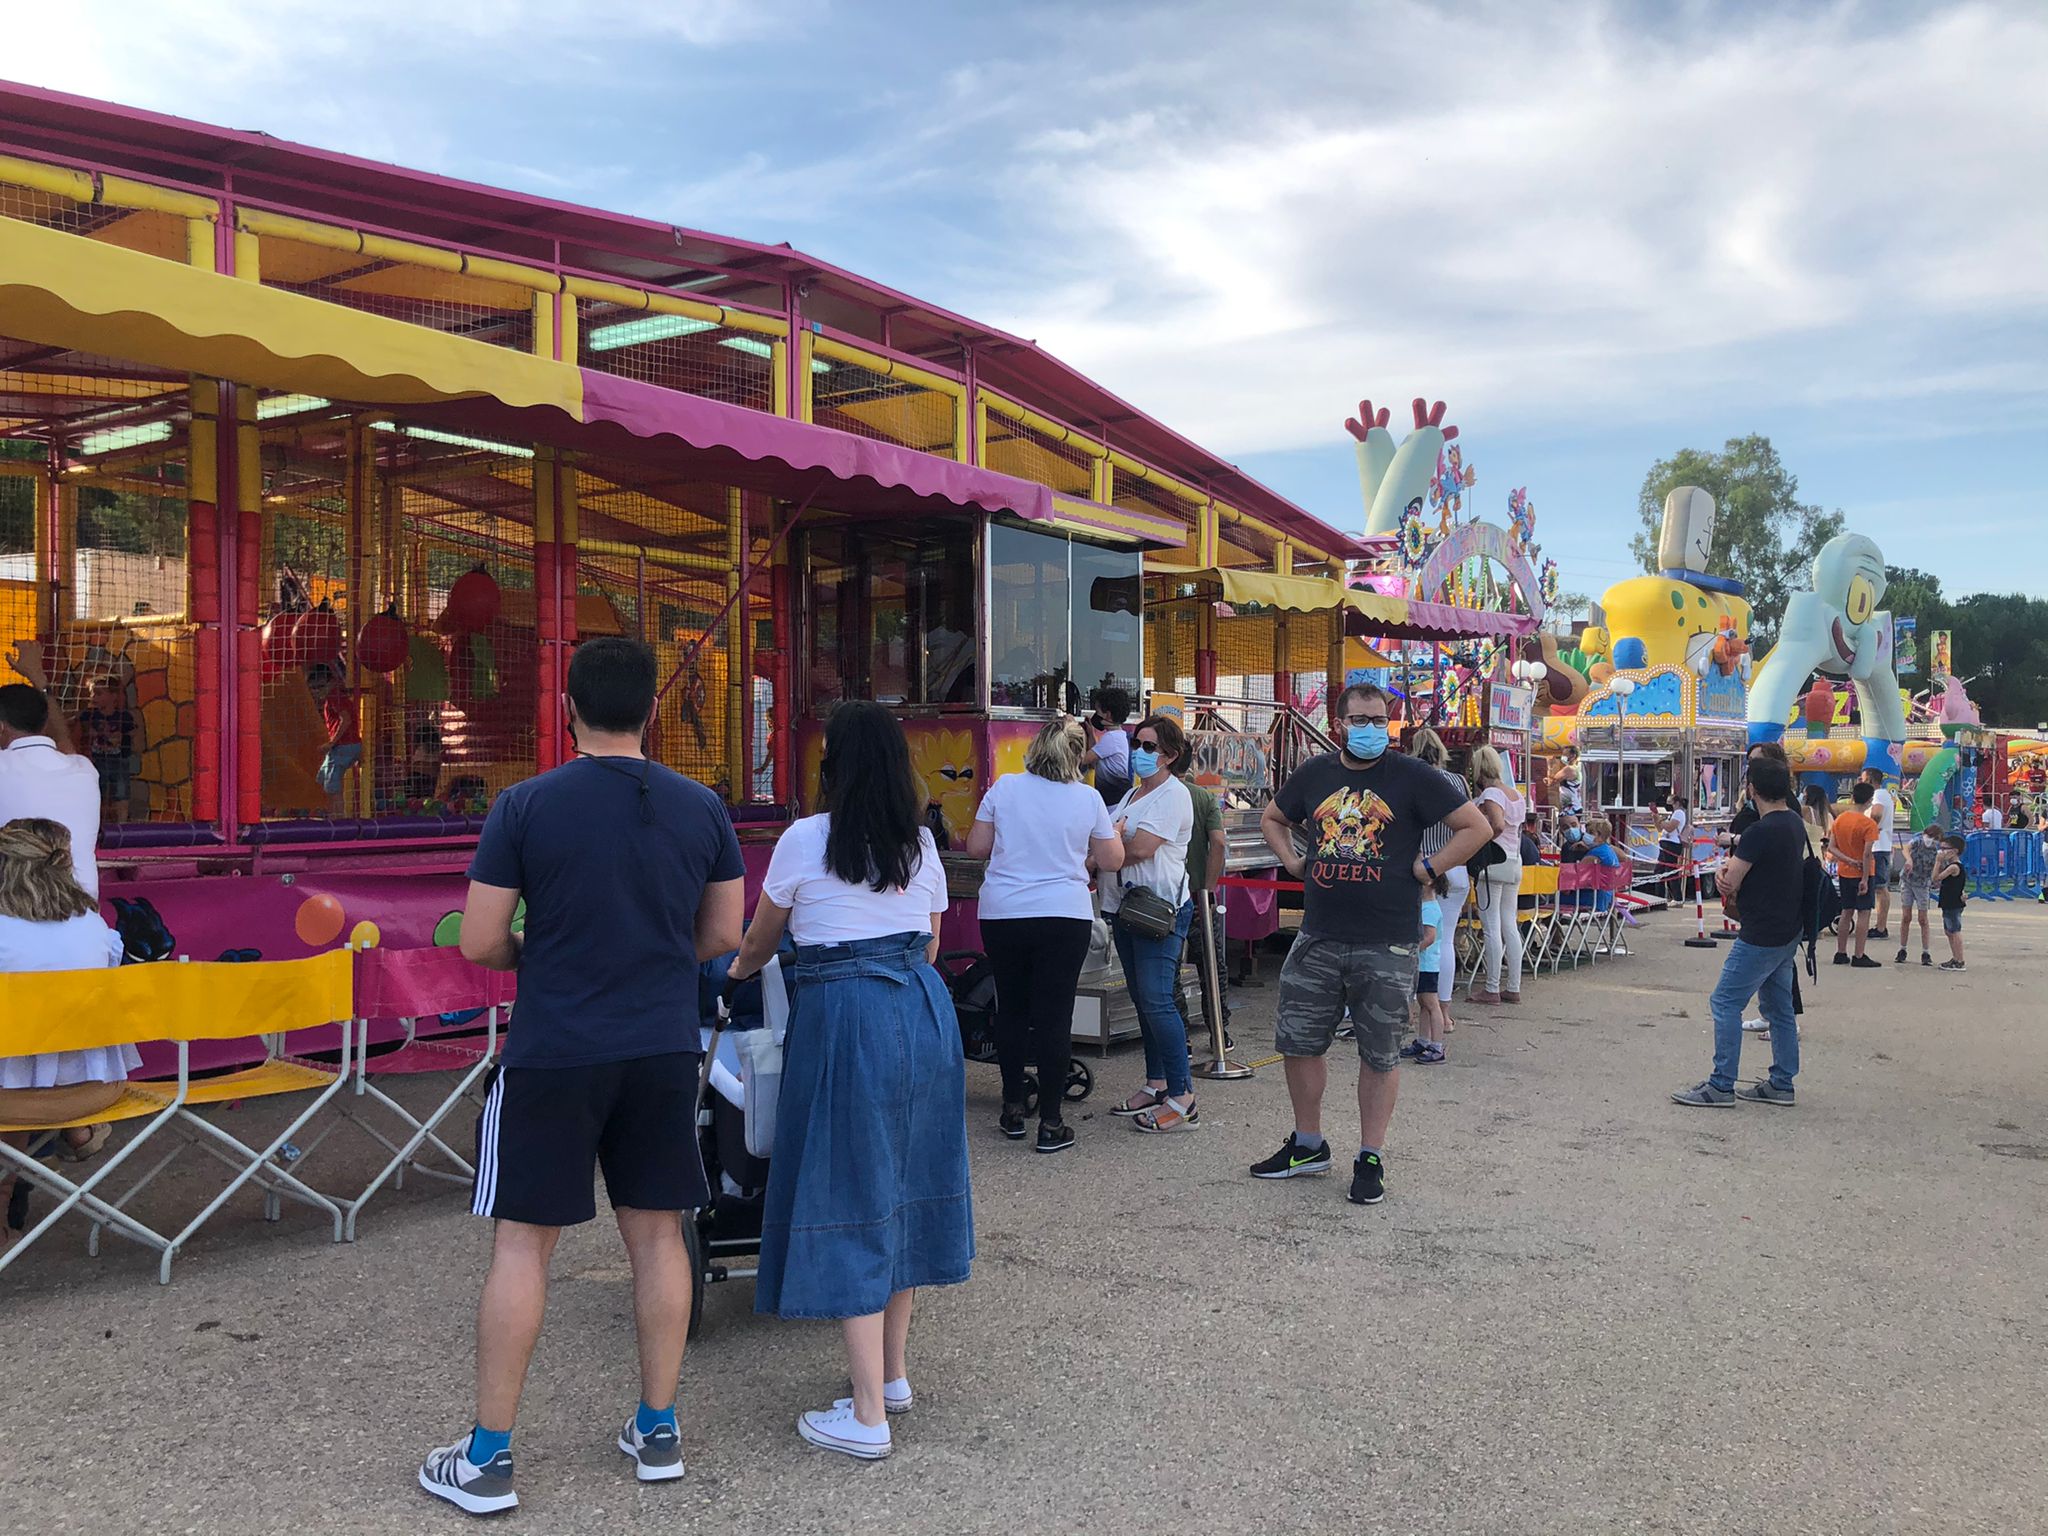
(1365, 828)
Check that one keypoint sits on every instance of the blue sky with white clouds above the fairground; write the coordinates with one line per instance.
(1601, 232)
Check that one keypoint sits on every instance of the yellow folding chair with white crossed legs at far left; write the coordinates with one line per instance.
(69, 1011)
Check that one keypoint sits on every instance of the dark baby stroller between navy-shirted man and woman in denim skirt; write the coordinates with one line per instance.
(736, 1099)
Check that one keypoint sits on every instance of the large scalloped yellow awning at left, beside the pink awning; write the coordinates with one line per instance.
(83, 296)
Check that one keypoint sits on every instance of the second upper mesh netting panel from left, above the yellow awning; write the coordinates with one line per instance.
(458, 304)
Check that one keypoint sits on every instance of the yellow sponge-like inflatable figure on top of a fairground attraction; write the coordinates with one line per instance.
(1680, 615)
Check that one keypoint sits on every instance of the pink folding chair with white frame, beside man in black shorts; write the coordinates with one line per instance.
(415, 986)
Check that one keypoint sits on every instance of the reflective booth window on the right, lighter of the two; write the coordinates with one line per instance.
(1066, 617)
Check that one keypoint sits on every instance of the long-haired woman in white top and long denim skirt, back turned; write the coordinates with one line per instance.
(867, 1189)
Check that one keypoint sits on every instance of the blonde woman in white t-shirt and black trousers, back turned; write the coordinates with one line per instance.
(1041, 833)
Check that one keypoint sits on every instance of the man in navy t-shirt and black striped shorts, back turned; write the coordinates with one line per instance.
(630, 873)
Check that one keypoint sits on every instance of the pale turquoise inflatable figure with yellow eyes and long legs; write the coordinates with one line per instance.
(1836, 630)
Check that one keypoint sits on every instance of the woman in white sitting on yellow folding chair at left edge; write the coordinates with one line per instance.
(48, 923)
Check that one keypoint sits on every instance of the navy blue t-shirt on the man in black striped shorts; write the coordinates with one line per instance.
(609, 966)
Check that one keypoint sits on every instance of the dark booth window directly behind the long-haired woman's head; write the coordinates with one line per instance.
(892, 617)
